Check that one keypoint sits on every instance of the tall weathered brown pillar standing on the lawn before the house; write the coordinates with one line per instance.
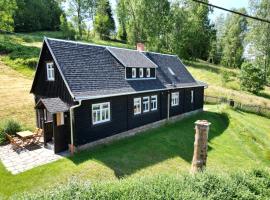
(200, 146)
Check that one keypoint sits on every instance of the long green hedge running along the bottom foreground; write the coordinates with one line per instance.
(254, 184)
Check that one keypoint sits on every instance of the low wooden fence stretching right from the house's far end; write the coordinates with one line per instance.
(257, 109)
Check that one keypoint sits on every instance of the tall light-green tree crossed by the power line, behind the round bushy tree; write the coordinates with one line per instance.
(234, 34)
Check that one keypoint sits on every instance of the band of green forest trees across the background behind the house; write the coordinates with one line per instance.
(179, 27)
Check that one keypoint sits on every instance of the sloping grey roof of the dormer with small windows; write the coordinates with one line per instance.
(131, 58)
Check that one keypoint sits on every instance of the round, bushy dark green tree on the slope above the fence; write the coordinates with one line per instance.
(252, 78)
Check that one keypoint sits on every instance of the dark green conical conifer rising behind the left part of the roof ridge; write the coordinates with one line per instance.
(103, 22)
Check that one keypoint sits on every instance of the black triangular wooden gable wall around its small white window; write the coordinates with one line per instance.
(44, 88)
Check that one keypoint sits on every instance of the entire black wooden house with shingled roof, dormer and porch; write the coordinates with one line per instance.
(85, 92)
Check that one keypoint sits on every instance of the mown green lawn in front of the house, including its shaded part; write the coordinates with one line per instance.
(237, 140)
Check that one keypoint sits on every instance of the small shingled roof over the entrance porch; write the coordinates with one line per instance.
(54, 105)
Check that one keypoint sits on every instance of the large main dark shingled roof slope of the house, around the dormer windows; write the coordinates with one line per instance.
(92, 71)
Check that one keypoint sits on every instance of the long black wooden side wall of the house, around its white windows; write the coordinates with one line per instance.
(123, 118)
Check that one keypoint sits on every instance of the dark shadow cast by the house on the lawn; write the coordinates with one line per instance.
(171, 140)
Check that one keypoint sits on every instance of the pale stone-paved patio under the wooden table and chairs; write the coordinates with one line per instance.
(17, 161)
